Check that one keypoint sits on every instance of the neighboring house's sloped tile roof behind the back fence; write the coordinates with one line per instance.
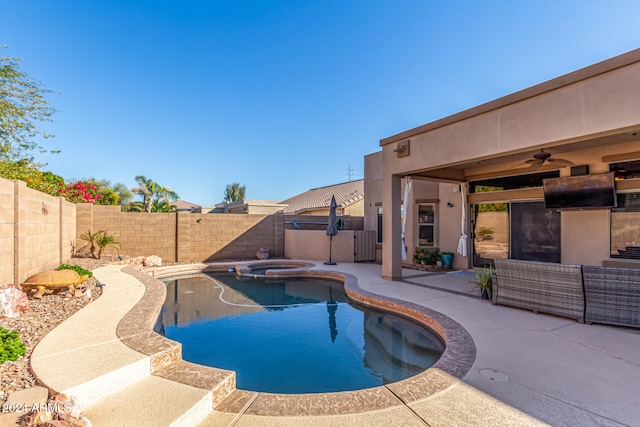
(346, 194)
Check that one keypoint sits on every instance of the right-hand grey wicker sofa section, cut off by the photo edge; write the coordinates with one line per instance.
(612, 295)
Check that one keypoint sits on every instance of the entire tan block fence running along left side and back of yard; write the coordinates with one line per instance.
(38, 232)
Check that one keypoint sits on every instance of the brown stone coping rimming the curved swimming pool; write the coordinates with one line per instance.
(138, 329)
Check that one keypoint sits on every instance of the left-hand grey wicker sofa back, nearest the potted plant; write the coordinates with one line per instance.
(541, 287)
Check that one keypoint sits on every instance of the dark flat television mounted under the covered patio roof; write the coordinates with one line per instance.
(584, 191)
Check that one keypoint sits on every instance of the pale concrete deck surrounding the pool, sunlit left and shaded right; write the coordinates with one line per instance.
(529, 369)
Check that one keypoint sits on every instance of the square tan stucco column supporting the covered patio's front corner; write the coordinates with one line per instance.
(391, 227)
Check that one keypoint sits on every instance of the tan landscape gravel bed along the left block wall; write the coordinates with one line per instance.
(43, 316)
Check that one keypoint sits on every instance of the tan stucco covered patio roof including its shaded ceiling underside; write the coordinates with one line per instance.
(591, 108)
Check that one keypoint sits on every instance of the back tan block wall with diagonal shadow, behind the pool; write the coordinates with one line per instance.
(184, 237)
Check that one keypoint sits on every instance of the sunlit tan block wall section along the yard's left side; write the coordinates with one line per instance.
(36, 231)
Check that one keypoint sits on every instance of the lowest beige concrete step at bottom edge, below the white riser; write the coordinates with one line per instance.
(153, 401)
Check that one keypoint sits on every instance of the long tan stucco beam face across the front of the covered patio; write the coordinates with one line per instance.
(600, 105)
